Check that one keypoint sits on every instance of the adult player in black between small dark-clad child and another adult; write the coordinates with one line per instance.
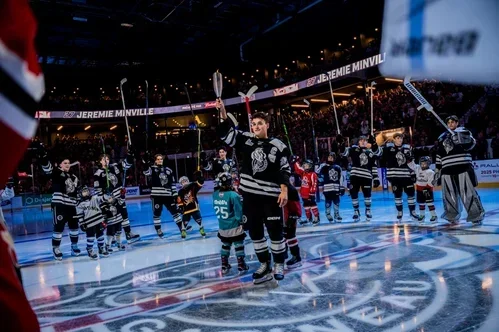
(363, 176)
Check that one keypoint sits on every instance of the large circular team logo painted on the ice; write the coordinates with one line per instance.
(359, 281)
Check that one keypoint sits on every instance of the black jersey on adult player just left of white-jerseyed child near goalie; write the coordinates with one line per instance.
(396, 159)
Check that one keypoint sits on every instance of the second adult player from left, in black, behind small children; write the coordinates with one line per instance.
(108, 179)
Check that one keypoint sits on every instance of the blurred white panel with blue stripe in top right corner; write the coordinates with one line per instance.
(457, 39)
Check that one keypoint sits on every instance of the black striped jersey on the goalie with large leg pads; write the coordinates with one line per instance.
(453, 153)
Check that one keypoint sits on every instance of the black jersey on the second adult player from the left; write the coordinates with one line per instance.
(113, 183)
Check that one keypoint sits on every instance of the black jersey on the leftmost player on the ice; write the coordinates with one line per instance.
(64, 185)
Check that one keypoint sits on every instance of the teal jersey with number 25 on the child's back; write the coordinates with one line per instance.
(229, 211)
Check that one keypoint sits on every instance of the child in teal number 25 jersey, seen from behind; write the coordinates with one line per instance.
(228, 209)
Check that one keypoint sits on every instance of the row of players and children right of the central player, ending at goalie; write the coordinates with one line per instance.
(453, 166)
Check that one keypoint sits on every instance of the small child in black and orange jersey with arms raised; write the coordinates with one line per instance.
(188, 204)
